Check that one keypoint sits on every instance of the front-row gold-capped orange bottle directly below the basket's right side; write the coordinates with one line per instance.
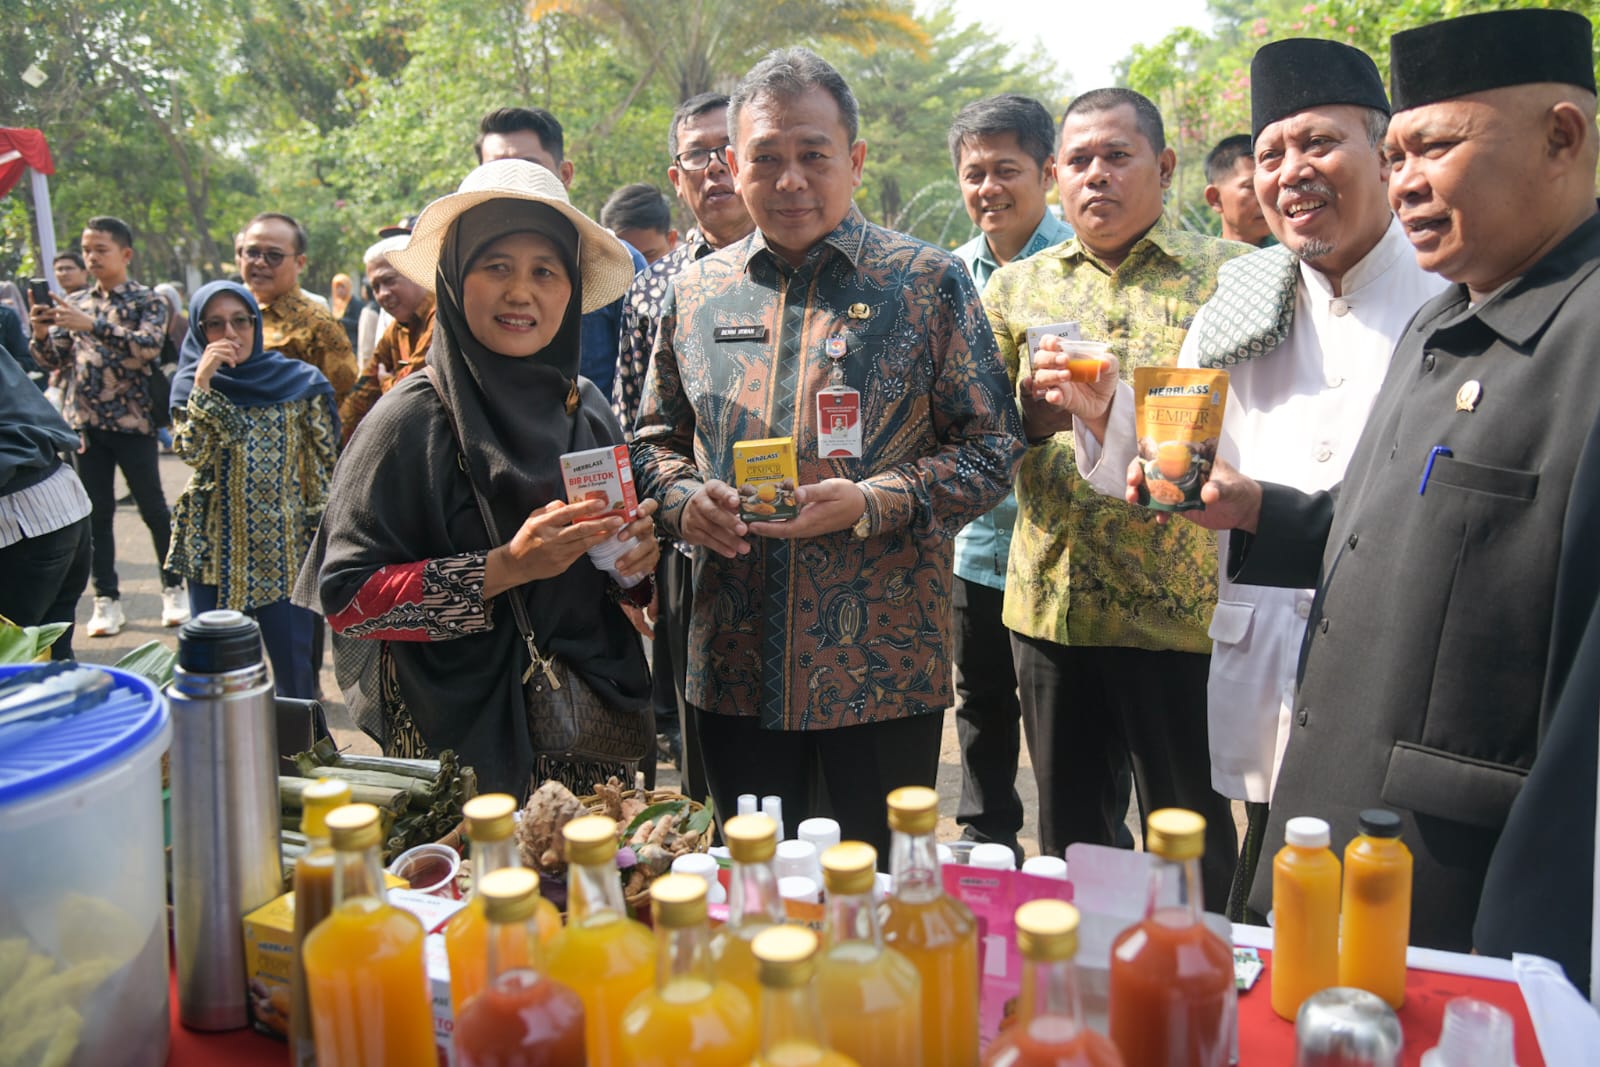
(690, 1018)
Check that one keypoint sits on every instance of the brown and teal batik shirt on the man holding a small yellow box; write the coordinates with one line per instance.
(836, 629)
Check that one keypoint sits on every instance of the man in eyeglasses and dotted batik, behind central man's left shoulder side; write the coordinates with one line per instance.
(698, 148)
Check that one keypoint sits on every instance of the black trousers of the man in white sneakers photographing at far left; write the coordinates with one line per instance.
(140, 462)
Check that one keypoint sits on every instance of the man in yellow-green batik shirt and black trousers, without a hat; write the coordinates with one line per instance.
(1108, 610)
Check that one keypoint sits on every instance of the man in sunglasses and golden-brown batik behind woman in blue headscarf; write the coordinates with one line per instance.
(271, 258)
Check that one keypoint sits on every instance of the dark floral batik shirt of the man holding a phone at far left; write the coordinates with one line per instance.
(108, 369)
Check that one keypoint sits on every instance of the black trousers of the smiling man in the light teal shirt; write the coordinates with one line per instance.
(988, 717)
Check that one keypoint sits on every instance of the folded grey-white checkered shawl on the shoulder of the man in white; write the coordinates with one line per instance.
(1252, 311)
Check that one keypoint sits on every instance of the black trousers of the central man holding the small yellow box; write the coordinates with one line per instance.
(860, 767)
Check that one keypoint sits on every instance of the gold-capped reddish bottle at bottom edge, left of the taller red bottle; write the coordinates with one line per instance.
(1049, 1029)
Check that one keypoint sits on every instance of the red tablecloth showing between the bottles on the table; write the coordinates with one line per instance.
(1265, 1041)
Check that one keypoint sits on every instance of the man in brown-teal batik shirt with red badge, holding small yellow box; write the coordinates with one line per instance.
(822, 642)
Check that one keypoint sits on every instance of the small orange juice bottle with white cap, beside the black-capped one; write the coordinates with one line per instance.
(1305, 916)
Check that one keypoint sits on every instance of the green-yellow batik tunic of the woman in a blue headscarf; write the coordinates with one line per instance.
(257, 495)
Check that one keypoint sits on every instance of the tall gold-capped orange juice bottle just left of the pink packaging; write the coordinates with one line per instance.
(932, 930)
